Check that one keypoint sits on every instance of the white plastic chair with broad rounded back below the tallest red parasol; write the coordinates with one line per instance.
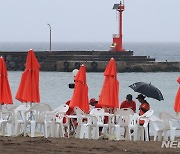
(36, 116)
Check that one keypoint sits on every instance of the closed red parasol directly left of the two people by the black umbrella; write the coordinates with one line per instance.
(109, 96)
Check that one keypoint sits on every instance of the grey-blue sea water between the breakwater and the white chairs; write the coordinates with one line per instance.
(54, 88)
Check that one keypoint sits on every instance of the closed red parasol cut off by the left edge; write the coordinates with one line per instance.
(5, 92)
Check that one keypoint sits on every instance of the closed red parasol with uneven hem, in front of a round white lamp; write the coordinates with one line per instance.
(80, 95)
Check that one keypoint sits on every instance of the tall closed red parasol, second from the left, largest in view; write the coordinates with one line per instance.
(28, 90)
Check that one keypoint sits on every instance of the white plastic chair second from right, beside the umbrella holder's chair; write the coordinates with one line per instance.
(158, 127)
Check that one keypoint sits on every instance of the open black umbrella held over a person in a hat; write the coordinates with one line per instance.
(147, 89)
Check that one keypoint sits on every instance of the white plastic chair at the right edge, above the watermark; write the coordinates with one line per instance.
(169, 125)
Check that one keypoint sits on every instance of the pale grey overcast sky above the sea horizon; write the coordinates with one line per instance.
(88, 20)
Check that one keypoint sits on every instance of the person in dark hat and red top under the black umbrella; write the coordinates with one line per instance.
(143, 108)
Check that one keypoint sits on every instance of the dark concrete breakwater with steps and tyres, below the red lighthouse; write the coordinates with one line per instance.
(95, 61)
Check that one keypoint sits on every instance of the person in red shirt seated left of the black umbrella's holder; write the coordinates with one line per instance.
(128, 103)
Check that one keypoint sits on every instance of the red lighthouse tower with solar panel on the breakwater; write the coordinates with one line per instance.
(117, 38)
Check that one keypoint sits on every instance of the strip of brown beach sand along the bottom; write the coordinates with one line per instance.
(27, 145)
